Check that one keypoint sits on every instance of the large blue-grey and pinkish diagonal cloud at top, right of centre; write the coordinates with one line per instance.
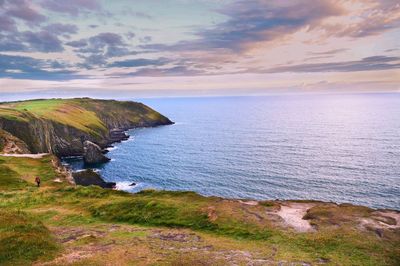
(251, 21)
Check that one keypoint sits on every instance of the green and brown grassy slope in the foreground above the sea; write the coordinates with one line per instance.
(94, 225)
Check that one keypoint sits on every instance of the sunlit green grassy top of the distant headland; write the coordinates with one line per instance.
(81, 113)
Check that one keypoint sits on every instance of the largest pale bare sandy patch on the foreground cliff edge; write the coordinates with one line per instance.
(293, 214)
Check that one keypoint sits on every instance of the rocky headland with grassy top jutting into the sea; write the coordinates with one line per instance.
(60, 126)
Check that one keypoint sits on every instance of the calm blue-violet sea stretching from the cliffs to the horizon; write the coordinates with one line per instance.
(341, 148)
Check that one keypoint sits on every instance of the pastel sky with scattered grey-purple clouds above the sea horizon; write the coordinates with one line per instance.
(151, 48)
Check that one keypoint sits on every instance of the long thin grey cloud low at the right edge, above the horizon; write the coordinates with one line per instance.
(373, 63)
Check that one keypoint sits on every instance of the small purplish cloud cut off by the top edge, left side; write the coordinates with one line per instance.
(72, 7)
